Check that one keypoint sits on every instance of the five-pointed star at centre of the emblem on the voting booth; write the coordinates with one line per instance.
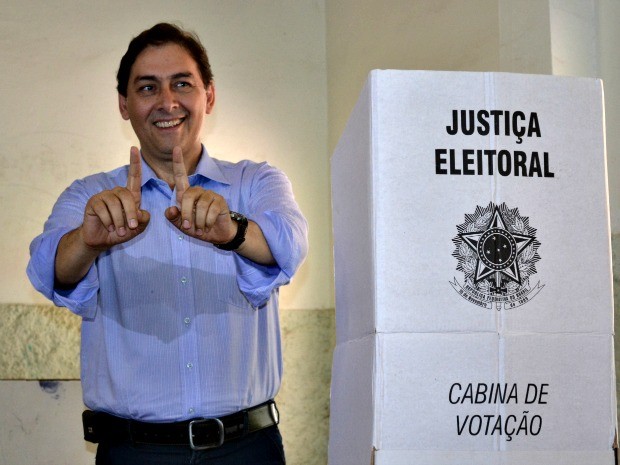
(497, 249)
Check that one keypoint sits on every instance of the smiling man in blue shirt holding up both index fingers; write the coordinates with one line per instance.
(174, 263)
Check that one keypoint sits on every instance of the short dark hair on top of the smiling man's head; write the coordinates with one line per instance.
(161, 34)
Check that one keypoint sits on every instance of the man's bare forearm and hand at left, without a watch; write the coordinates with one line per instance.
(111, 217)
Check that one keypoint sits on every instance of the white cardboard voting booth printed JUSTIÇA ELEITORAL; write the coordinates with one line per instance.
(474, 307)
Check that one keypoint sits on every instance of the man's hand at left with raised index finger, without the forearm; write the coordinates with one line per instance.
(112, 217)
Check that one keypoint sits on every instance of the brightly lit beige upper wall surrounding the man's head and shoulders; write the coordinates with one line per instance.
(61, 122)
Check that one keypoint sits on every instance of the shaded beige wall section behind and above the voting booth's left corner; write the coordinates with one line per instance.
(403, 34)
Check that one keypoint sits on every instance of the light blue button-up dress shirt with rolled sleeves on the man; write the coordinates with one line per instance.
(172, 327)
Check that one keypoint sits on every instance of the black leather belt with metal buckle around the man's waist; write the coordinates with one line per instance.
(199, 434)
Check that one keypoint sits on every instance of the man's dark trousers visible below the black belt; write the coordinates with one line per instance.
(263, 447)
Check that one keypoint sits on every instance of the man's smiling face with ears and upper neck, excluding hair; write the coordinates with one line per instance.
(166, 102)
